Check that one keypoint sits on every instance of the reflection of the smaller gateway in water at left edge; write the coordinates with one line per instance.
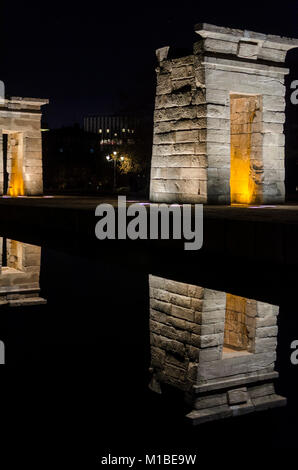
(19, 273)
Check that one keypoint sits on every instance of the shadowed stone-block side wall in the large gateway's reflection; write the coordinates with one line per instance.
(175, 331)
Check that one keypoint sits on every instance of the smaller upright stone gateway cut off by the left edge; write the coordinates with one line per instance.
(20, 146)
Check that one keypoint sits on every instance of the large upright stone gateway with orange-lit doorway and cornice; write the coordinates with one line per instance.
(218, 121)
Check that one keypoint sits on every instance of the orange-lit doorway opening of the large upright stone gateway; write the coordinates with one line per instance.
(246, 149)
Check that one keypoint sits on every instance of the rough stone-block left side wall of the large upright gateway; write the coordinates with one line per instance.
(178, 169)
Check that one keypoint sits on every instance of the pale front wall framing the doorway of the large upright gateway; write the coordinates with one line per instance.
(268, 83)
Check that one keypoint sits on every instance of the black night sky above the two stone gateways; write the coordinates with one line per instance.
(99, 57)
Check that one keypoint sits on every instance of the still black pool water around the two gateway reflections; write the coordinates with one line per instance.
(75, 383)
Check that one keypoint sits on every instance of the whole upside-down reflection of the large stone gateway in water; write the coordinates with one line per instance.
(219, 349)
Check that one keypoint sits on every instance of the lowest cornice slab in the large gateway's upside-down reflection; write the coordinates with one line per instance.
(219, 412)
